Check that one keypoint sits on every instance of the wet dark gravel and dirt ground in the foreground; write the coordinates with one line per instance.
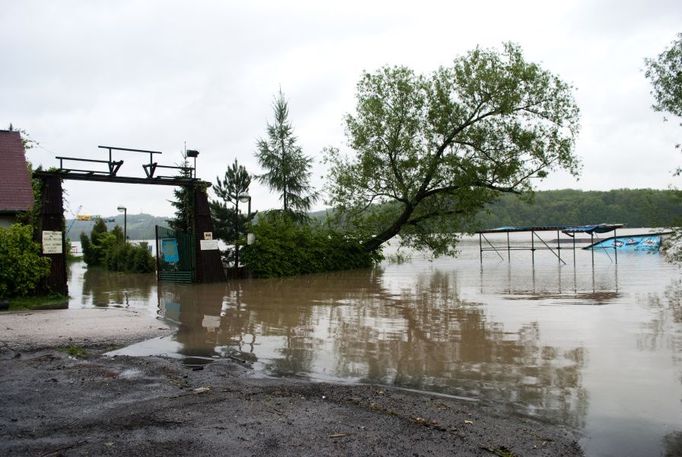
(56, 404)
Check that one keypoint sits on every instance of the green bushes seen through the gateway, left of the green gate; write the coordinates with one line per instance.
(110, 250)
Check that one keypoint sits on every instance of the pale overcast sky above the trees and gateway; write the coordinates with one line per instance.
(157, 74)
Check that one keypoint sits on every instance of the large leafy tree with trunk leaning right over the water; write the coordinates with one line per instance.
(429, 151)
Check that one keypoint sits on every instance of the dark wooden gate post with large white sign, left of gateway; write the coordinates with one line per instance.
(51, 234)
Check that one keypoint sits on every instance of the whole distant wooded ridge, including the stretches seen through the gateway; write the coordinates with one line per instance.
(632, 207)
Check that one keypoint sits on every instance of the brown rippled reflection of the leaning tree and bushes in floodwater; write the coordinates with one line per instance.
(349, 326)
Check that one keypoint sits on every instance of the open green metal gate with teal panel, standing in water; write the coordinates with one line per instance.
(175, 255)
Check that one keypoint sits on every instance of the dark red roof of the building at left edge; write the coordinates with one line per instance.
(16, 193)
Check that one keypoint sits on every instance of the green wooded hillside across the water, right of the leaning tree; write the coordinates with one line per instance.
(632, 207)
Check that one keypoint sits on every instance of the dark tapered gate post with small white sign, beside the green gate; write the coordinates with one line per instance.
(209, 267)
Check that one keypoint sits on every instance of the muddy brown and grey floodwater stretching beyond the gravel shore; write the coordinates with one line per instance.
(596, 348)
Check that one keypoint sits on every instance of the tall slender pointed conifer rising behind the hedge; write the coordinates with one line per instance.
(287, 169)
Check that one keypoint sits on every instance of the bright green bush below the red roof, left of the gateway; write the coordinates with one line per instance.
(21, 266)
